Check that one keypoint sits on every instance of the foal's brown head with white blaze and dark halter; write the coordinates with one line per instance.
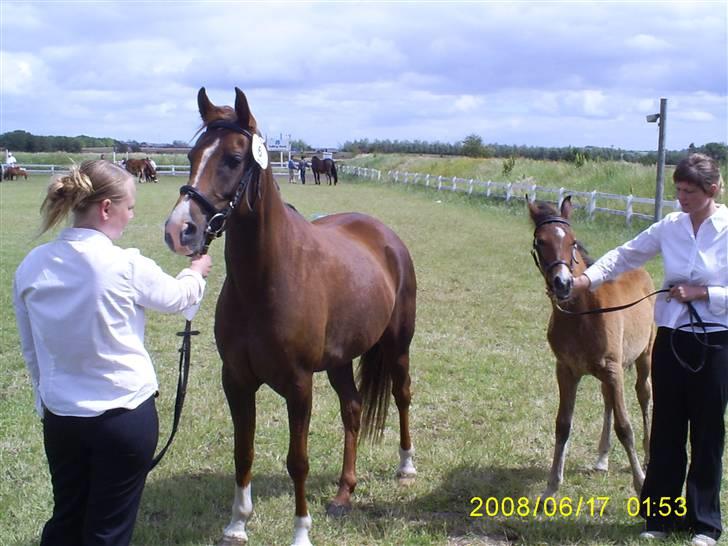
(554, 246)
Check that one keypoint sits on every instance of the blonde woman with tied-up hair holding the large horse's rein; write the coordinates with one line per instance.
(80, 303)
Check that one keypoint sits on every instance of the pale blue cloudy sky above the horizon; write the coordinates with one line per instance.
(530, 73)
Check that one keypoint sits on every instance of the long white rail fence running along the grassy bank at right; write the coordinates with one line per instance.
(592, 202)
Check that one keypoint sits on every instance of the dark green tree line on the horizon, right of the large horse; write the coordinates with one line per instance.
(473, 146)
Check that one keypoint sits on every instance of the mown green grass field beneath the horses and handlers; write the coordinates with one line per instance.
(484, 394)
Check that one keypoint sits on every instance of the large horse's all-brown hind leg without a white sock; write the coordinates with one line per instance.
(342, 380)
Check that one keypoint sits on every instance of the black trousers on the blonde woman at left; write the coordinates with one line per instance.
(98, 468)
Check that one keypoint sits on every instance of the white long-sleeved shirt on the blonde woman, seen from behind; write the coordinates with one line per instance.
(79, 303)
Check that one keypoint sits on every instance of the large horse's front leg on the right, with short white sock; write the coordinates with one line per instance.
(298, 402)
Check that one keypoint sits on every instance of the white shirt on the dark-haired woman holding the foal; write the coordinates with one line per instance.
(690, 259)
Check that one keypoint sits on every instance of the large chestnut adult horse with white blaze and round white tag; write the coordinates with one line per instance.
(299, 297)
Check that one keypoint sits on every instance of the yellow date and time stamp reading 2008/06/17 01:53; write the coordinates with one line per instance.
(566, 507)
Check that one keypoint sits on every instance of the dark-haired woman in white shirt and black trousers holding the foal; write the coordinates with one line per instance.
(689, 383)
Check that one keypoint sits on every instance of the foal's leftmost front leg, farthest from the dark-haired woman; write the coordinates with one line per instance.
(568, 383)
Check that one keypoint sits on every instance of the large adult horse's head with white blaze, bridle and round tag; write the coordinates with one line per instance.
(225, 164)
